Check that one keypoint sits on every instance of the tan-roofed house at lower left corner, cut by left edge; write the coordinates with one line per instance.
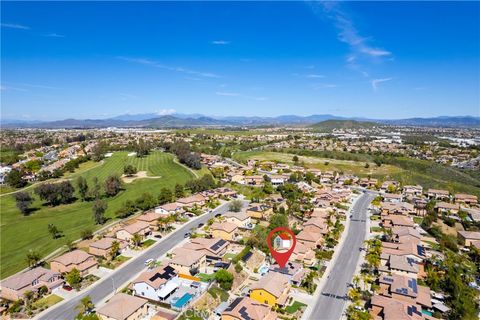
(14, 287)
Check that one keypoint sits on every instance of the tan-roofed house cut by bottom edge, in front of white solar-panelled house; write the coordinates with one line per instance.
(123, 307)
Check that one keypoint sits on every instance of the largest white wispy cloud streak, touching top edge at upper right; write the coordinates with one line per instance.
(347, 32)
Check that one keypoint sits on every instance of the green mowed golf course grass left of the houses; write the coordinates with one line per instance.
(20, 233)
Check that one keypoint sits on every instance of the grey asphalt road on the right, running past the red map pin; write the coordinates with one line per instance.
(330, 303)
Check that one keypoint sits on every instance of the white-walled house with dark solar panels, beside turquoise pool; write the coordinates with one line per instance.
(154, 284)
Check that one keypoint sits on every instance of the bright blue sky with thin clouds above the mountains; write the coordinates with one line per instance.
(368, 59)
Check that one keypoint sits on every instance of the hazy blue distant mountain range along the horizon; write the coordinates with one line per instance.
(152, 120)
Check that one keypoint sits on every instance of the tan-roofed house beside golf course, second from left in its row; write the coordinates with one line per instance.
(76, 259)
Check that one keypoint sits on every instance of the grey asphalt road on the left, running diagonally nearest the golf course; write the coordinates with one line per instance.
(108, 285)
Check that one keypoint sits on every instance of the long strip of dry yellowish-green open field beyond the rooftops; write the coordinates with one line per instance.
(345, 166)
